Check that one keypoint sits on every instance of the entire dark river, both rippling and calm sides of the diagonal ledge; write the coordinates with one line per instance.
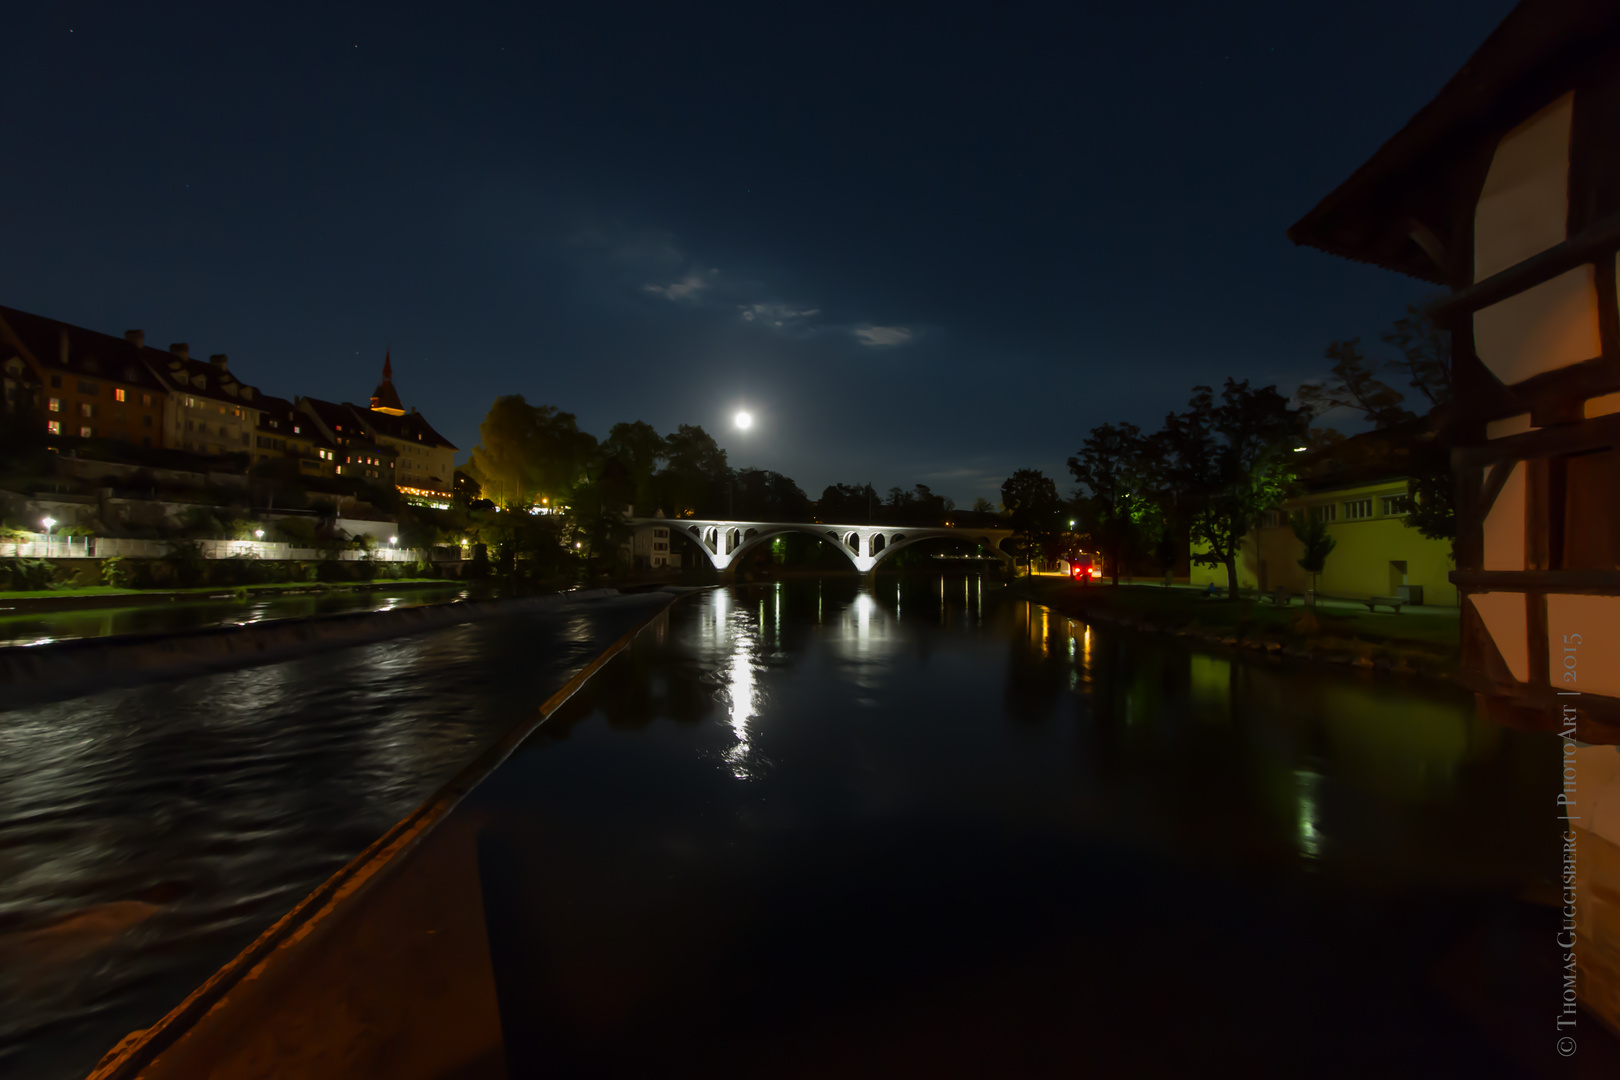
(910, 828)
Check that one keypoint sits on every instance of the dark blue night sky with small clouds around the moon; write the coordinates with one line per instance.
(927, 244)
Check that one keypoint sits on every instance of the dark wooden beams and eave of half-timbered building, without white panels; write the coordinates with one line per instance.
(1412, 208)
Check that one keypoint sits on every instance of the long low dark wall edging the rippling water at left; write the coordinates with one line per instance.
(72, 668)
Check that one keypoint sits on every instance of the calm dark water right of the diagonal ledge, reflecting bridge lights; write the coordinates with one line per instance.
(923, 831)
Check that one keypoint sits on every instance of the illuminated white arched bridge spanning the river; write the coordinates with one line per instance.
(864, 545)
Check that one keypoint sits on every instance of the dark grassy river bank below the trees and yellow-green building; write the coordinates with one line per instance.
(1410, 642)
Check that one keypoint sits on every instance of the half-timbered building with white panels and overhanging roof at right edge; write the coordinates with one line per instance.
(1506, 189)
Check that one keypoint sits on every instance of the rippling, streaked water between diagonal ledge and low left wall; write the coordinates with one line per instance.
(148, 835)
